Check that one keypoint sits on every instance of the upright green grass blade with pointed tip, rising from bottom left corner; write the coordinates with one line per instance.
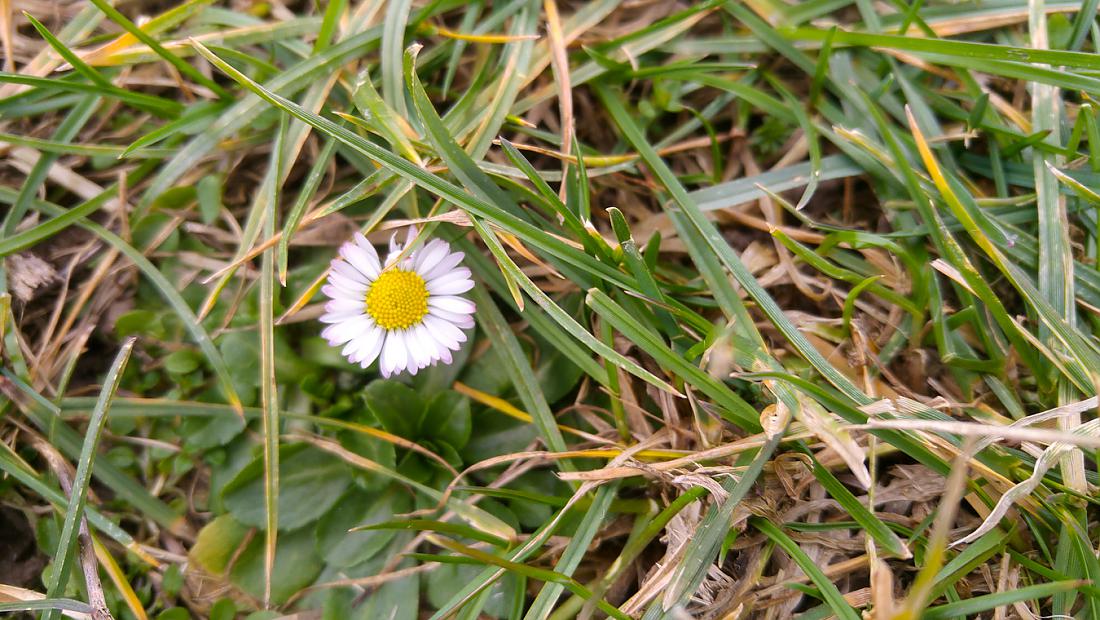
(64, 558)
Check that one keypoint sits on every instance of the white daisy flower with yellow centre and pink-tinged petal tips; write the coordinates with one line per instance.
(408, 315)
